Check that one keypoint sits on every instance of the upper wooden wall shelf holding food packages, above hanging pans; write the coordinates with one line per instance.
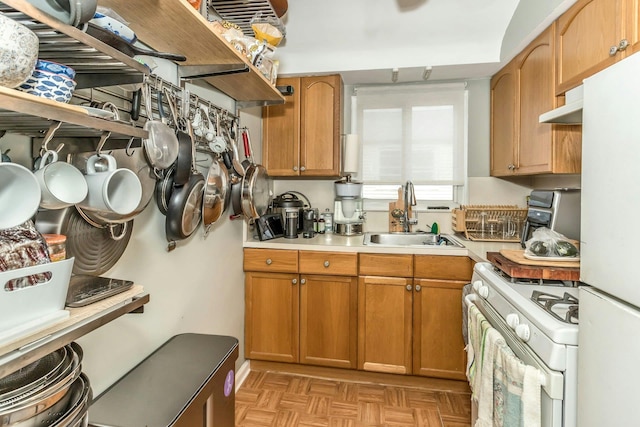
(176, 27)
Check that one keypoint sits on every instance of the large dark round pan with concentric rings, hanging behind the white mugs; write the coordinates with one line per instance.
(94, 250)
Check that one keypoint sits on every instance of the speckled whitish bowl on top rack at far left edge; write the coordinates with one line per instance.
(18, 52)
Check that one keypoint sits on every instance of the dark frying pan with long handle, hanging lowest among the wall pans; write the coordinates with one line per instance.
(184, 212)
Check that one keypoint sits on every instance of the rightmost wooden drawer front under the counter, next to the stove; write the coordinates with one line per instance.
(443, 267)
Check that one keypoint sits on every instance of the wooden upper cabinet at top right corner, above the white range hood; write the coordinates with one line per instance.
(586, 34)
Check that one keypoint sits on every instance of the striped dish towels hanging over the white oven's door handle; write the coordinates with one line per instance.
(507, 391)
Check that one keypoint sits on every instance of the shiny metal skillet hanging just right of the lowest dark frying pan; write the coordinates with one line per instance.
(216, 194)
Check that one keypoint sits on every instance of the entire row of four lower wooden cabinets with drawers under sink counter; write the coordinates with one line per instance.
(410, 324)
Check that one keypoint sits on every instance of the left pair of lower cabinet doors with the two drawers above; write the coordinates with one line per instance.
(301, 318)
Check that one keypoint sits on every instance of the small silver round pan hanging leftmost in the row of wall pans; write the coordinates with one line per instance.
(161, 146)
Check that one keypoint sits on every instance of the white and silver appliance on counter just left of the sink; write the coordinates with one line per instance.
(349, 212)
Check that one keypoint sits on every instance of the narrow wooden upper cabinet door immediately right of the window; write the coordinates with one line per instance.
(503, 132)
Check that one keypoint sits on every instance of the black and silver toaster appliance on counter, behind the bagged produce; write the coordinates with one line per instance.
(558, 210)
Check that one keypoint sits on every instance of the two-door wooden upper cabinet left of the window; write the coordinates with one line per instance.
(302, 137)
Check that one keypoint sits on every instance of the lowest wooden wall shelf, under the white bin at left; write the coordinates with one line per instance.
(28, 349)
